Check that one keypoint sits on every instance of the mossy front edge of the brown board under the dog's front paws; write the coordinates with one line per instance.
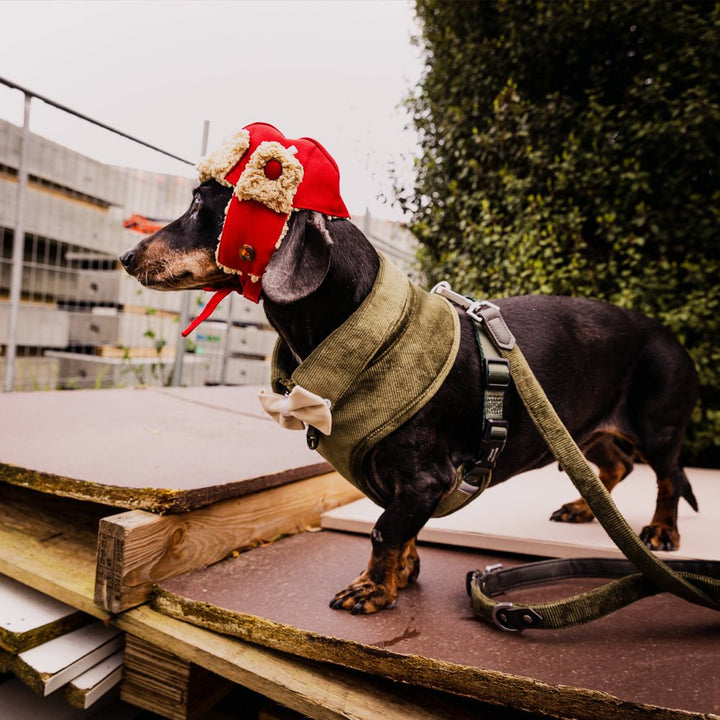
(489, 686)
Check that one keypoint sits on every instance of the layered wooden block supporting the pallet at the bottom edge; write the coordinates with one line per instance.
(165, 684)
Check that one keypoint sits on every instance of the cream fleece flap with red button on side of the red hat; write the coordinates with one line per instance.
(255, 185)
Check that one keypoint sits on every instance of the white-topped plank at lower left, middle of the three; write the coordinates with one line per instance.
(49, 666)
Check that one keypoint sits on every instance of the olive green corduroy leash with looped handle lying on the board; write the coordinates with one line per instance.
(696, 581)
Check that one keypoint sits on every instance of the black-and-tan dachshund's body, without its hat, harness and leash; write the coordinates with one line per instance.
(622, 384)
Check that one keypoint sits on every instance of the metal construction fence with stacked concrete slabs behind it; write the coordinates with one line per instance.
(70, 317)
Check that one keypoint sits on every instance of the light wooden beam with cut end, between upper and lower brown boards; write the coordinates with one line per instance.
(137, 549)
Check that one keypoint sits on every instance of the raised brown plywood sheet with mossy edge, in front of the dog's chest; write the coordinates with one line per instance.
(157, 449)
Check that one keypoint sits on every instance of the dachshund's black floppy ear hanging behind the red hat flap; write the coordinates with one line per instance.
(298, 267)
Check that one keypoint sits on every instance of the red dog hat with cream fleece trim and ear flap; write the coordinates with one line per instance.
(271, 175)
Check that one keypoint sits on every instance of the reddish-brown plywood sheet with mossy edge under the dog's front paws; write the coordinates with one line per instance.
(659, 652)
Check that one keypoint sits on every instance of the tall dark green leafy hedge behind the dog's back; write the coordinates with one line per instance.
(573, 147)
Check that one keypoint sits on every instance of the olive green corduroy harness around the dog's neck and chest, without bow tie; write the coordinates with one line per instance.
(377, 369)
